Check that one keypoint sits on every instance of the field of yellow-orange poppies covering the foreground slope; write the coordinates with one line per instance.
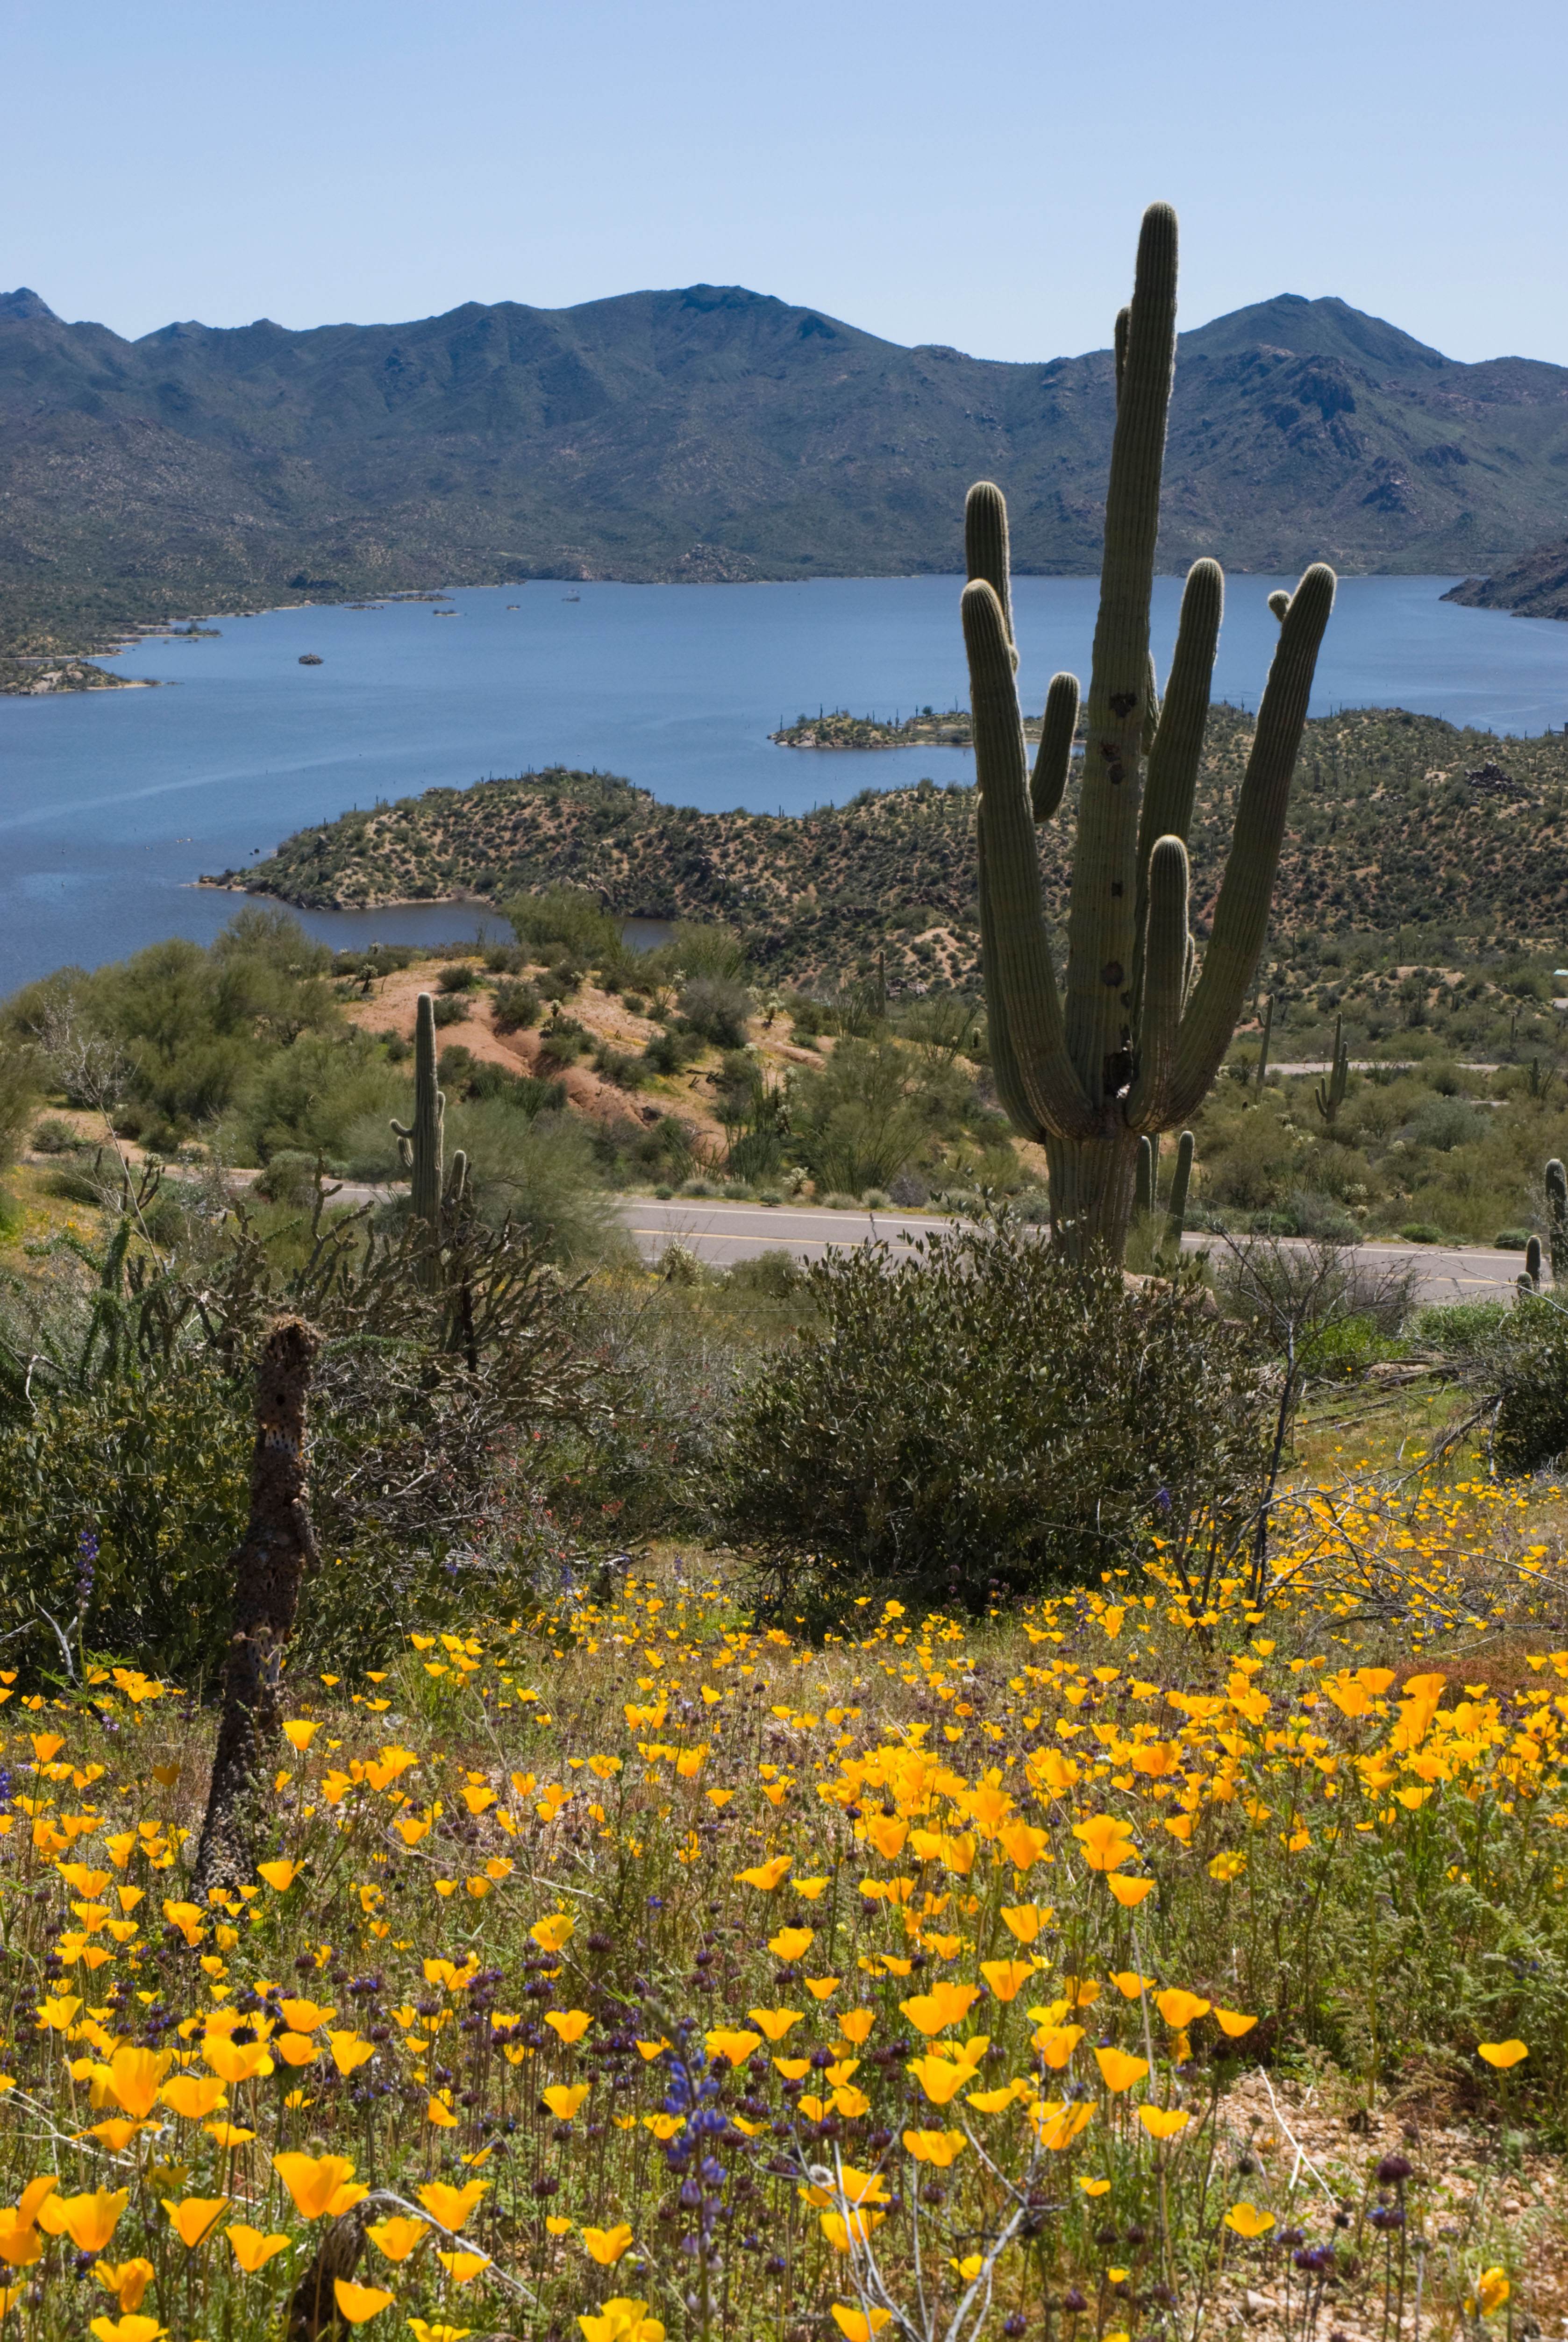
(1175, 1957)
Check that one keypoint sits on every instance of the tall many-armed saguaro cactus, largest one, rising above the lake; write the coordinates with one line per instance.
(1140, 1036)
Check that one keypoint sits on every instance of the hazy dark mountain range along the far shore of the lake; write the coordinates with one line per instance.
(721, 434)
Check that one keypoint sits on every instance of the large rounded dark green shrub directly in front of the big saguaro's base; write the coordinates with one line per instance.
(990, 1418)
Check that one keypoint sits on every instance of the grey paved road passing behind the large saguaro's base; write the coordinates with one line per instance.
(725, 1233)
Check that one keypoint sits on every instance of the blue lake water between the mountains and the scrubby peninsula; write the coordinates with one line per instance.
(114, 804)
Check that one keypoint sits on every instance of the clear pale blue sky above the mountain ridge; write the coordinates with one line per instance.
(957, 174)
